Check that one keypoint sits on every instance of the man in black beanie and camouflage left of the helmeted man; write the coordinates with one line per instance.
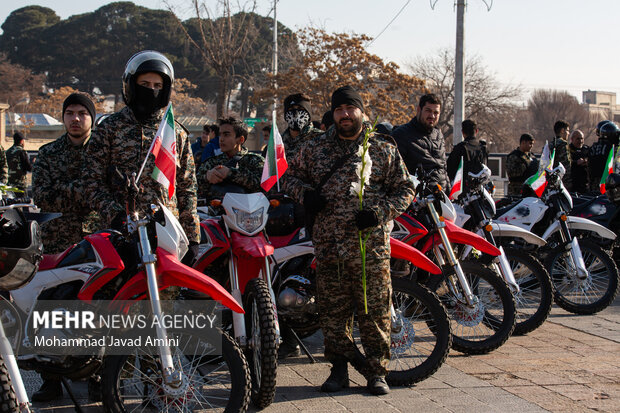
(57, 178)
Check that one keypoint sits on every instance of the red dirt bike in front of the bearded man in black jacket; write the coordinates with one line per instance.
(480, 304)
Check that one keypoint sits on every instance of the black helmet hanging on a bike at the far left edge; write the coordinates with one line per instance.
(21, 249)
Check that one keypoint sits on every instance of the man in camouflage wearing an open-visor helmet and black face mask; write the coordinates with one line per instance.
(123, 140)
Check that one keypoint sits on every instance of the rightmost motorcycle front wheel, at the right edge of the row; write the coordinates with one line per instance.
(599, 289)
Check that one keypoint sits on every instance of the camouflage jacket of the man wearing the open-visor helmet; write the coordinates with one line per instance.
(123, 142)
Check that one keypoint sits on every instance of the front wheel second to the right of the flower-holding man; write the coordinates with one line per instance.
(487, 326)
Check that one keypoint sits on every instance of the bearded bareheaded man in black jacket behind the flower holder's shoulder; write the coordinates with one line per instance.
(421, 143)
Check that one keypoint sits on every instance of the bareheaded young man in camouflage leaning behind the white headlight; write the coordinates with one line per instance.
(236, 165)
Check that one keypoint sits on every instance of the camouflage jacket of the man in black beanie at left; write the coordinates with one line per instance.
(56, 186)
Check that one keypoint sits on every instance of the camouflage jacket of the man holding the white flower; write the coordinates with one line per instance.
(389, 192)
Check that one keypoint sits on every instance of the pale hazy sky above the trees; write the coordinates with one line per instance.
(555, 44)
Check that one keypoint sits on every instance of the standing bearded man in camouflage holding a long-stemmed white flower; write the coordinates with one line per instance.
(335, 237)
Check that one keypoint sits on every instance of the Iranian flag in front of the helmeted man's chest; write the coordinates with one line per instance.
(164, 147)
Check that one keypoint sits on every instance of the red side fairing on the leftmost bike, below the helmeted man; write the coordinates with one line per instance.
(112, 265)
